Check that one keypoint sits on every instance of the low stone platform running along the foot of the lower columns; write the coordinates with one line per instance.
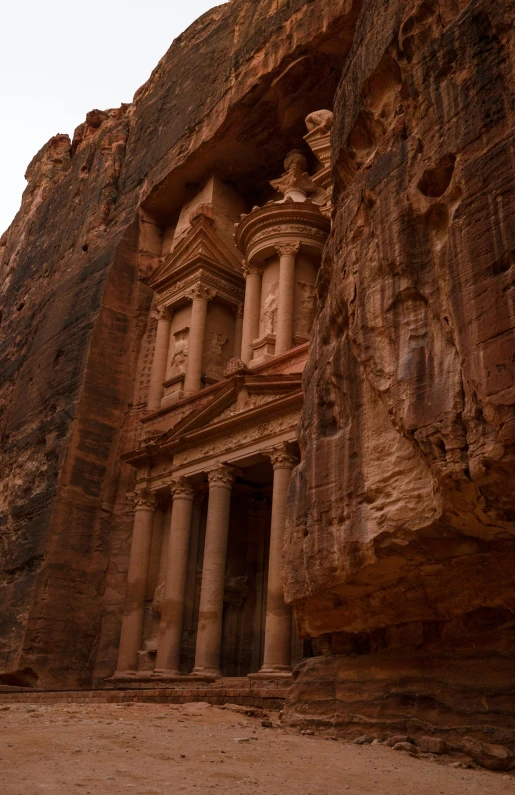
(242, 691)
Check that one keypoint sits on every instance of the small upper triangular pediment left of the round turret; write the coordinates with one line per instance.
(201, 245)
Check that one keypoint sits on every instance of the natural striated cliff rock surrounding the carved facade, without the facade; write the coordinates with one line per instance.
(400, 550)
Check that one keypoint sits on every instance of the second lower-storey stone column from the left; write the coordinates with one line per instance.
(172, 610)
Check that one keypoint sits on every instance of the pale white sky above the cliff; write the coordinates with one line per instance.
(57, 62)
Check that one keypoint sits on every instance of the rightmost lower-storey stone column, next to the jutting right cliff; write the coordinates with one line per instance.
(277, 654)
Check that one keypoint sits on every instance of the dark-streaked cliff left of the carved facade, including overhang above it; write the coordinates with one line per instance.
(74, 310)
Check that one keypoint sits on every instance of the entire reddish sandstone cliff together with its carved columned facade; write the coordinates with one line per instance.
(257, 377)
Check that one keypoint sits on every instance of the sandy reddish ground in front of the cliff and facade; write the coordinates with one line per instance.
(144, 749)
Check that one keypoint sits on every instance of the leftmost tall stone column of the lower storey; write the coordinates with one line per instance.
(134, 612)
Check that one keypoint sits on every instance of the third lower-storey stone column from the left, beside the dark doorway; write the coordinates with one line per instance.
(209, 633)
